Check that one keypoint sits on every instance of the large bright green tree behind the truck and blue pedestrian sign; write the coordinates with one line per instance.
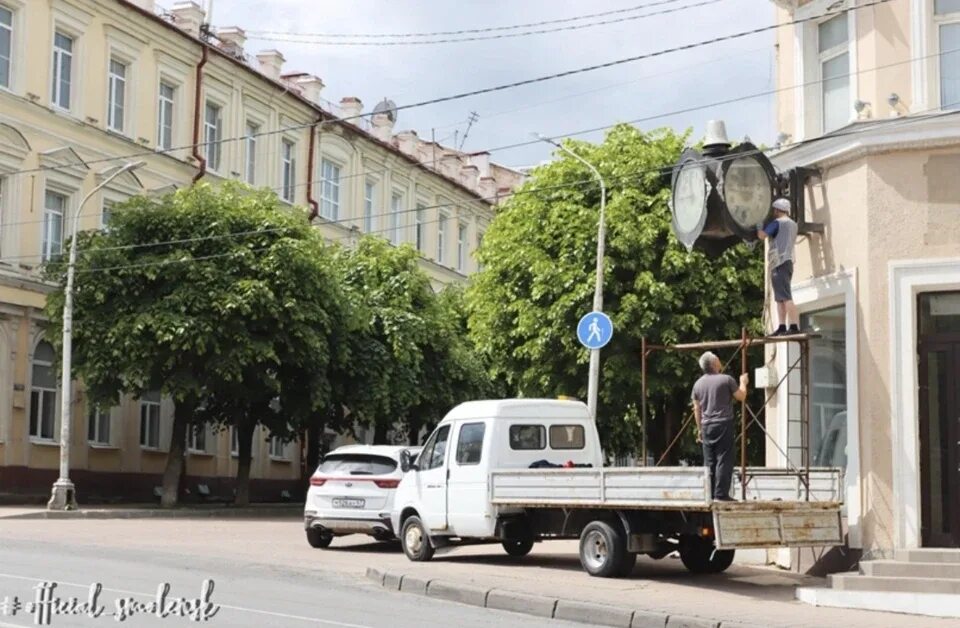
(539, 263)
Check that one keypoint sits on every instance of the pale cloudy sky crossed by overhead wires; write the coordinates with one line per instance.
(627, 92)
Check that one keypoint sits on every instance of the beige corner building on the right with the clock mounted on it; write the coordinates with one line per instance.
(868, 99)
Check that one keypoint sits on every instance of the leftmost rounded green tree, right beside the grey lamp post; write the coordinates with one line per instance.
(223, 299)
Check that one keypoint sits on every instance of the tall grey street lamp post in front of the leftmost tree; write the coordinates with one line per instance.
(63, 496)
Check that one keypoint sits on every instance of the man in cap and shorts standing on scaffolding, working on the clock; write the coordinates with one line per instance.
(782, 230)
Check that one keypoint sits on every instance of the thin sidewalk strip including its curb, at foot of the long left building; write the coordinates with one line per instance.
(154, 511)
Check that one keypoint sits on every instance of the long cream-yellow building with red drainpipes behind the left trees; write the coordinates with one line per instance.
(87, 85)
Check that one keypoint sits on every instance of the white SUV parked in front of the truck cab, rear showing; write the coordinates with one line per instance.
(352, 492)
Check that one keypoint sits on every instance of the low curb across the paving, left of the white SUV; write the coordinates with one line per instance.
(162, 513)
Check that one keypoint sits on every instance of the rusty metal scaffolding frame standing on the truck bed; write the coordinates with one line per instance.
(742, 345)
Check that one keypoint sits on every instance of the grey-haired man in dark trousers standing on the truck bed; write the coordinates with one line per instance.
(713, 396)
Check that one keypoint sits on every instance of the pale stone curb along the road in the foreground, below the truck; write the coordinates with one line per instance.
(541, 606)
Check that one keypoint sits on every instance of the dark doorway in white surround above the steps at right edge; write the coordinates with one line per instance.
(939, 397)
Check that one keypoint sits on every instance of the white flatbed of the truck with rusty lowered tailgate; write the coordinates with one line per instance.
(776, 512)
